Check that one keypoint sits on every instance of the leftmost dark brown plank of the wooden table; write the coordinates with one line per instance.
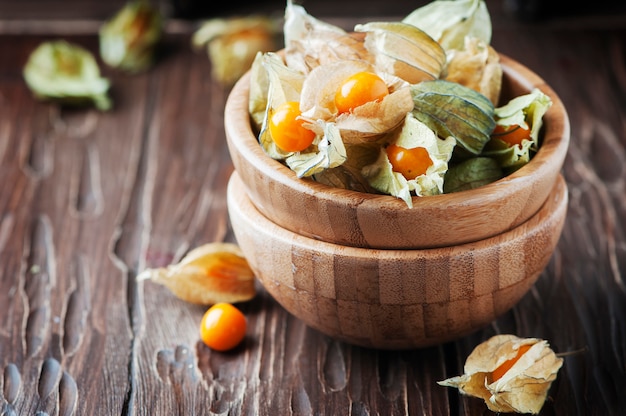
(67, 327)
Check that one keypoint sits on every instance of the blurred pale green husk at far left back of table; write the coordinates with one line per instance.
(66, 73)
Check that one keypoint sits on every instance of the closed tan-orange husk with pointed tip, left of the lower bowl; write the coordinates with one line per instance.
(209, 274)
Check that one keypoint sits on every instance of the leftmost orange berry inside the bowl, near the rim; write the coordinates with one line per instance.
(287, 130)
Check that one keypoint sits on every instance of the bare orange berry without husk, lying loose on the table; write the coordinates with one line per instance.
(223, 327)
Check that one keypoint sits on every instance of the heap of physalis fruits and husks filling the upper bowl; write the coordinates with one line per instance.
(399, 108)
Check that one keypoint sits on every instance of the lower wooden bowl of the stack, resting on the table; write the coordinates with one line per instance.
(396, 299)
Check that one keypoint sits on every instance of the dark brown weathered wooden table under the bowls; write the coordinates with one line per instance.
(89, 199)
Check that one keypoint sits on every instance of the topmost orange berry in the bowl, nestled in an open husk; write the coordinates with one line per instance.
(359, 89)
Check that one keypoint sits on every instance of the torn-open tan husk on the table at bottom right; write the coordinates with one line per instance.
(523, 388)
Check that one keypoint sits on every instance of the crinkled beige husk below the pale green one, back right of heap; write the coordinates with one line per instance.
(477, 67)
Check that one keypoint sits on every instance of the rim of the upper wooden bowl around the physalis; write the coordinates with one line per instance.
(556, 136)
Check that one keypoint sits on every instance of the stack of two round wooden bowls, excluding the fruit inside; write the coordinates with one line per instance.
(367, 269)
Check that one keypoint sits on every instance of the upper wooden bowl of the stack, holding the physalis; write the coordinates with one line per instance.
(358, 219)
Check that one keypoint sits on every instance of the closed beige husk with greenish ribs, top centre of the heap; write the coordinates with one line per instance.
(404, 50)
